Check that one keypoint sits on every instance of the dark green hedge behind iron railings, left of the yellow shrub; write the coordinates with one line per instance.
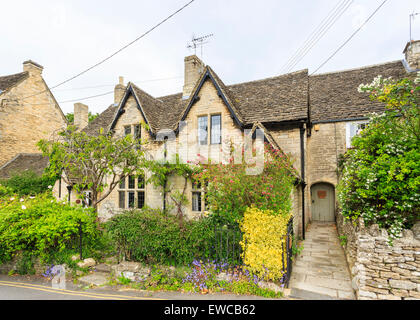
(151, 236)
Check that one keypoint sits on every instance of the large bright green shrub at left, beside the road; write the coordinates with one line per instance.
(42, 226)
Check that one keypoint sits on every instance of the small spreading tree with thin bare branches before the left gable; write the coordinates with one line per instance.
(93, 163)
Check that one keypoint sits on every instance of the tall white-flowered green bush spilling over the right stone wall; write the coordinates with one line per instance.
(380, 177)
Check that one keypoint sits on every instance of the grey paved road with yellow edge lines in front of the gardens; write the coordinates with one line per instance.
(37, 288)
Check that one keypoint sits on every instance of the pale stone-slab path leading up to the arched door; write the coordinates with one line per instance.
(320, 272)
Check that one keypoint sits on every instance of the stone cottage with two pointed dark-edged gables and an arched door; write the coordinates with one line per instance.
(312, 118)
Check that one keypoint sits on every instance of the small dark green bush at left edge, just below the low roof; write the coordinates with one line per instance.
(27, 183)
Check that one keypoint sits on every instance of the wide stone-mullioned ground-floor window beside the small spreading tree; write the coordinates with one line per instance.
(132, 192)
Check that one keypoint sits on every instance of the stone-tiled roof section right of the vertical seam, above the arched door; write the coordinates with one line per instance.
(334, 96)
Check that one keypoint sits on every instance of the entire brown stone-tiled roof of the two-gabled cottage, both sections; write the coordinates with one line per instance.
(332, 96)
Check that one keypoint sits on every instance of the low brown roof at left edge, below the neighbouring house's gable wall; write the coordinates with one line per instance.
(24, 162)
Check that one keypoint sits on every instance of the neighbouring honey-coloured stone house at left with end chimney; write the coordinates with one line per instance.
(28, 113)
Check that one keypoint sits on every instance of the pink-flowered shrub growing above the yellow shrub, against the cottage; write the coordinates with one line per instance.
(230, 189)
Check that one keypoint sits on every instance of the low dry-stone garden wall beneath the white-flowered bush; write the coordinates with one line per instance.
(381, 271)
